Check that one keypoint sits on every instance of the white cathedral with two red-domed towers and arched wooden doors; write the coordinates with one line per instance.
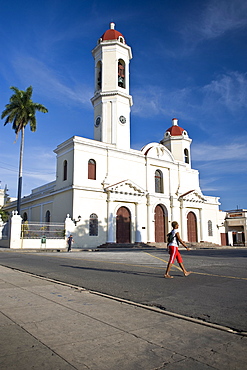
(115, 193)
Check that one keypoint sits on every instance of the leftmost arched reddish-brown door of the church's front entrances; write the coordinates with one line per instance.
(123, 225)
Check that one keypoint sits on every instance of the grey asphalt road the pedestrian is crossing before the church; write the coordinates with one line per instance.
(216, 291)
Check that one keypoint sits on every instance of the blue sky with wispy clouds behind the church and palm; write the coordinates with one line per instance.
(189, 62)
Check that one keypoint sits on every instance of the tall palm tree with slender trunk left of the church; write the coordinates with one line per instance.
(20, 111)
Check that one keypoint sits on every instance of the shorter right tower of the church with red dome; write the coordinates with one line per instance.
(176, 139)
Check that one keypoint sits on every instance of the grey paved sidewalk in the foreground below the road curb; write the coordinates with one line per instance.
(45, 325)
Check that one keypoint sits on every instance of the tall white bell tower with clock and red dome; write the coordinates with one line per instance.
(111, 100)
